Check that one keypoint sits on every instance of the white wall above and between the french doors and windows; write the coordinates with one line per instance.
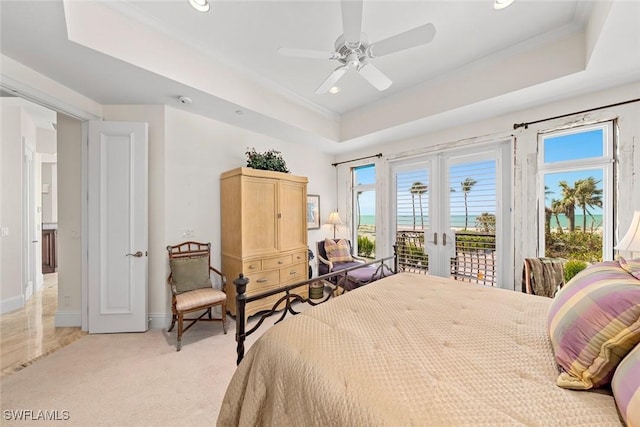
(525, 208)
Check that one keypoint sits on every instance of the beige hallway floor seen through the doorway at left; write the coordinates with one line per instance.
(29, 333)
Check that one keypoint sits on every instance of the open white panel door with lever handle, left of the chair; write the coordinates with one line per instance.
(117, 227)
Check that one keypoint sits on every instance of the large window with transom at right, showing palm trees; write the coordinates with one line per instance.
(576, 185)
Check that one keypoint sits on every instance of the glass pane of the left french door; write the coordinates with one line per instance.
(412, 219)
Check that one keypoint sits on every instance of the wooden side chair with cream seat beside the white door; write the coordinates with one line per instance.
(191, 286)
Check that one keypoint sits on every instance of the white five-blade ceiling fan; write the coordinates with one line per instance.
(353, 50)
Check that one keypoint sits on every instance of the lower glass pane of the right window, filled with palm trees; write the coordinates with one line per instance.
(573, 214)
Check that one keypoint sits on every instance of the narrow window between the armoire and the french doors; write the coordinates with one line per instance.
(364, 211)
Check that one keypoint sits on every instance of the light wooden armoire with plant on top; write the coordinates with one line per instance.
(264, 232)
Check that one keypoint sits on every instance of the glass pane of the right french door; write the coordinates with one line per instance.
(472, 217)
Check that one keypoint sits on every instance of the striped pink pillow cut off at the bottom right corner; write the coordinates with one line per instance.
(626, 387)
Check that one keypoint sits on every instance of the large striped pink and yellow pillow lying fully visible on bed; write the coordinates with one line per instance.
(594, 321)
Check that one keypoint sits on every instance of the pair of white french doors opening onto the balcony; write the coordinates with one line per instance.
(452, 214)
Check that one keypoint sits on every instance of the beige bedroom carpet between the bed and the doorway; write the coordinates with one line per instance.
(127, 380)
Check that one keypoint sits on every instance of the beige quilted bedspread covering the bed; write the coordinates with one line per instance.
(411, 350)
